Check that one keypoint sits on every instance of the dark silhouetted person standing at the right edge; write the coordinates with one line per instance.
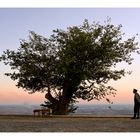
(136, 104)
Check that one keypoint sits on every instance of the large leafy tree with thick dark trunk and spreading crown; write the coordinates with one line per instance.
(72, 64)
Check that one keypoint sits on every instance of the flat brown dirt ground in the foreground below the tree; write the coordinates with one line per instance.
(15, 123)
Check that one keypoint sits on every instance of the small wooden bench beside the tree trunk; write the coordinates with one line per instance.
(42, 112)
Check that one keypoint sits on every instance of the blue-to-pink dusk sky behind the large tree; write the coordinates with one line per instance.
(15, 24)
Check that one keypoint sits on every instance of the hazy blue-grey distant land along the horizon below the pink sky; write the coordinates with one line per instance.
(101, 110)
